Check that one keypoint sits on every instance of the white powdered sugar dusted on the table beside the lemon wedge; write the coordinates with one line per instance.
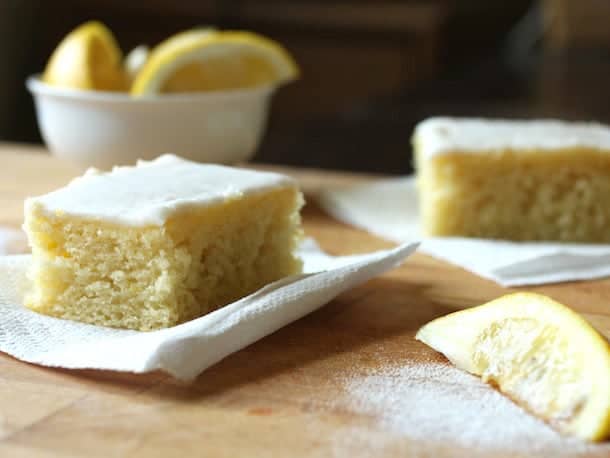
(438, 402)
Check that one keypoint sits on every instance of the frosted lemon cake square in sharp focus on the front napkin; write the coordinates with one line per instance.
(150, 246)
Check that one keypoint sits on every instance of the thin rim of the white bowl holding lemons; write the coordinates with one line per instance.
(38, 87)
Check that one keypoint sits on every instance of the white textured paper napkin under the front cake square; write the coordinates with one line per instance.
(185, 350)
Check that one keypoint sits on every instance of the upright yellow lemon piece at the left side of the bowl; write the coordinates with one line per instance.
(87, 58)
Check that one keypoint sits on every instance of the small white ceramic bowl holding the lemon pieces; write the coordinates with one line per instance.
(102, 129)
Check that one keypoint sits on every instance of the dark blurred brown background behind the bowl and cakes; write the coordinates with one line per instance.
(371, 68)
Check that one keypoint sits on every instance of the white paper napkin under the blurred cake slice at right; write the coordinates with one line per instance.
(388, 208)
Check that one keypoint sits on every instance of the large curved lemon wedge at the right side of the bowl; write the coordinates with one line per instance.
(214, 60)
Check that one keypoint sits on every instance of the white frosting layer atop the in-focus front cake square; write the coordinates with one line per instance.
(150, 192)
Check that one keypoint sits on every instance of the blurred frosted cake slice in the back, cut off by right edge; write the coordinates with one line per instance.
(517, 180)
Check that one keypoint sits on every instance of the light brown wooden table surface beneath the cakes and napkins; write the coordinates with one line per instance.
(274, 398)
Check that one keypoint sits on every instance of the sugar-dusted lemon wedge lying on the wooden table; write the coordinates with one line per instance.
(538, 352)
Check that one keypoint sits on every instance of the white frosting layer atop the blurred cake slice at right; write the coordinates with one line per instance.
(440, 135)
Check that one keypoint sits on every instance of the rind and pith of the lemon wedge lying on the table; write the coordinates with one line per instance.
(455, 335)
